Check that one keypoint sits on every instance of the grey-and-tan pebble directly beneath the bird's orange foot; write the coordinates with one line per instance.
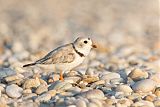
(58, 85)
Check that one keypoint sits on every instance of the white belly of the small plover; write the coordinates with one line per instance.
(69, 66)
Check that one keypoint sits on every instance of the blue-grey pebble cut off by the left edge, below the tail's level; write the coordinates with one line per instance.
(4, 72)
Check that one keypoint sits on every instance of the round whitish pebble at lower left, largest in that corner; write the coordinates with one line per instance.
(14, 91)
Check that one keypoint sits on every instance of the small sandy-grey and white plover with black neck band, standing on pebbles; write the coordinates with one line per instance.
(68, 56)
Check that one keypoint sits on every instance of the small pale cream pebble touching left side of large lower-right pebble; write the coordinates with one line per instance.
(124, 88)
